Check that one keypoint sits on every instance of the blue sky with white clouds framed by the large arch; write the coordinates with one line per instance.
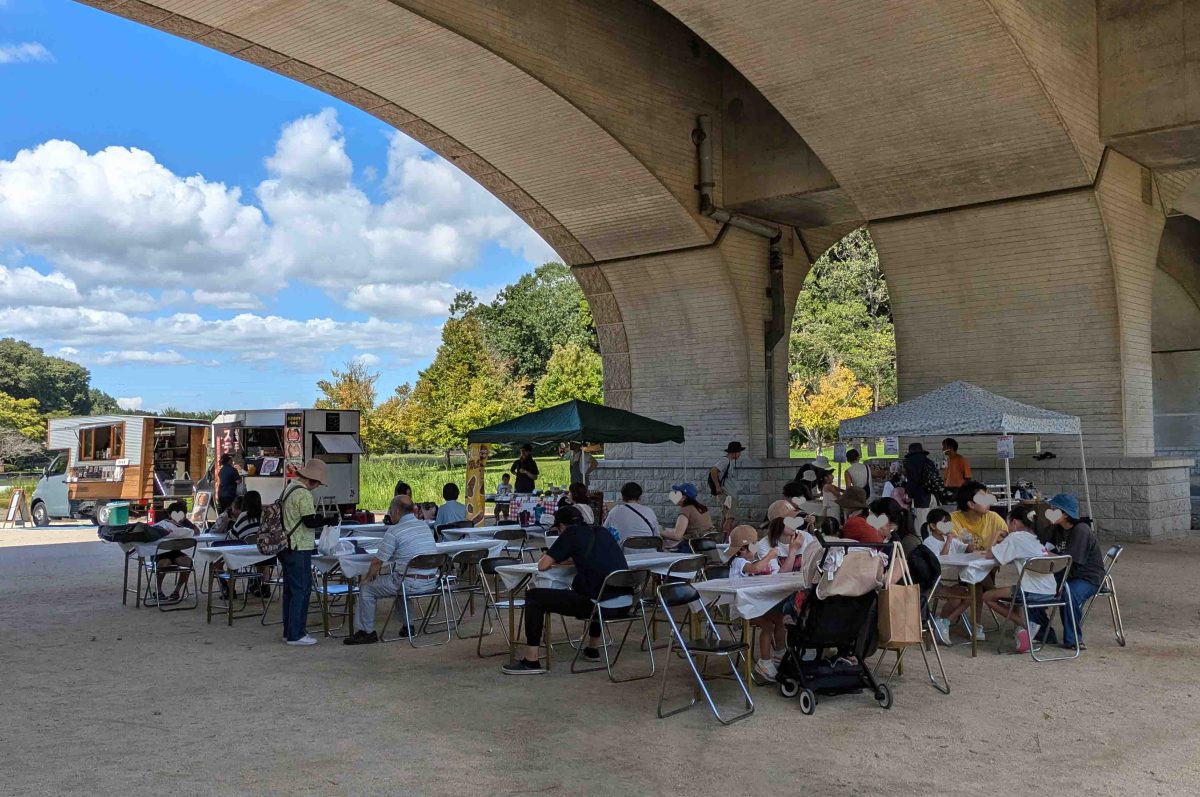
(203, 233)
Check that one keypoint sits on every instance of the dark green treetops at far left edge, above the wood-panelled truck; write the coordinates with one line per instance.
(59, 386)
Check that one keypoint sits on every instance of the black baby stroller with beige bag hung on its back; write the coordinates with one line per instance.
(848, 624)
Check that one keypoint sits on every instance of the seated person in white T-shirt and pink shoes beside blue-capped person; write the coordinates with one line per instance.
(1018, 546)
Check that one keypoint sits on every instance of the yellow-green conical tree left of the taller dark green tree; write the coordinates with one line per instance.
(465, 388)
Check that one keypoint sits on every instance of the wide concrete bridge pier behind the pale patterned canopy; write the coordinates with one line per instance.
(1046, 301)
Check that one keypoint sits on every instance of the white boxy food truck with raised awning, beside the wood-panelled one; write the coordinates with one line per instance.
(266, 444)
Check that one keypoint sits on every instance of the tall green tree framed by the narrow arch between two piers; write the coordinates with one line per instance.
(844, 316)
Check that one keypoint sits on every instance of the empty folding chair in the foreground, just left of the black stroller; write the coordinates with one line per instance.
(683, 595)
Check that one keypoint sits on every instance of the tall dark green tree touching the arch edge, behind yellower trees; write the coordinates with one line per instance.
(535, 315)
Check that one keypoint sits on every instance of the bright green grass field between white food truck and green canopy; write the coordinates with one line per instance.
(427, 475)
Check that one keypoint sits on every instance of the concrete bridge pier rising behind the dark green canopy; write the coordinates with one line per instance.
(682, 339)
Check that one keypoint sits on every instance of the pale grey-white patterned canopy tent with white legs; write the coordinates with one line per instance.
(963, 409)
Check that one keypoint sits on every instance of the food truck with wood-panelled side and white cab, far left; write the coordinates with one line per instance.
(142, 460)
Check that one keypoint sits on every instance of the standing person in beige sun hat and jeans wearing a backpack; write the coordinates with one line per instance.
(299, 519)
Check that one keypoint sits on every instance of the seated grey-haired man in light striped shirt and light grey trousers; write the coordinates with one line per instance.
(409, 538)
